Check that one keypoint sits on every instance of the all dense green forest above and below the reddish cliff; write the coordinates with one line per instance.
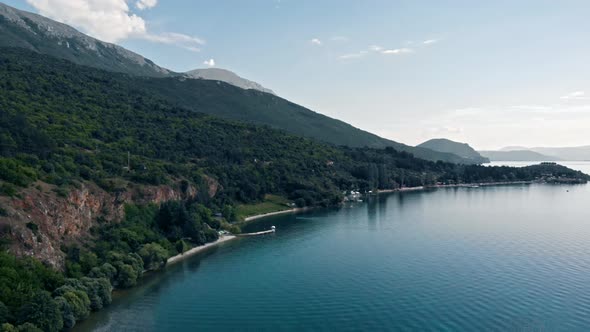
(63, 124)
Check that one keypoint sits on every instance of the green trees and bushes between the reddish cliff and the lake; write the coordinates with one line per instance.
(35, 296)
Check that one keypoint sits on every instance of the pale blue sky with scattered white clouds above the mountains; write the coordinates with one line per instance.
(489, 73)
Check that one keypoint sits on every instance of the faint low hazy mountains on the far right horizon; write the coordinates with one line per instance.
(519, 153)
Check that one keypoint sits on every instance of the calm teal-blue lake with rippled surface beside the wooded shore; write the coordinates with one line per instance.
(504, 258)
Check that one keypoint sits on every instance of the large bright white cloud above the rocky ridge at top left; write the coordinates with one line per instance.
(111, 20)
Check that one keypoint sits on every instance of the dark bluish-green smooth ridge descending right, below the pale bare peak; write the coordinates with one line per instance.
(252, 106)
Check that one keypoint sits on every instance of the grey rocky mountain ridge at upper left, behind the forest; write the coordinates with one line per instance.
(37, 33)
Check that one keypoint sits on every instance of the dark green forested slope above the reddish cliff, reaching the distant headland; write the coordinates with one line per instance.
(62, 123)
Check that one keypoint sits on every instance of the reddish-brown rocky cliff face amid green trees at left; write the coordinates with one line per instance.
(39, 221)
